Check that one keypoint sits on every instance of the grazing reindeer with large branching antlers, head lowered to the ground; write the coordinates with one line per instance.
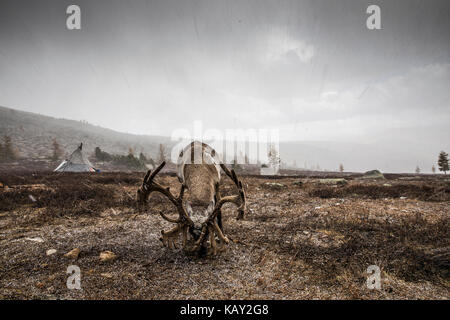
(198, 170)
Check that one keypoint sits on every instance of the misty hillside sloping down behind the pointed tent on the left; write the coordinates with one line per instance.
(33, 135)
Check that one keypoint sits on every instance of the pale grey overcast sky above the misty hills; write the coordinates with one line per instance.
(310, 68)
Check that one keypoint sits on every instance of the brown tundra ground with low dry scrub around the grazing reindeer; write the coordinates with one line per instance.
(297, 241)
